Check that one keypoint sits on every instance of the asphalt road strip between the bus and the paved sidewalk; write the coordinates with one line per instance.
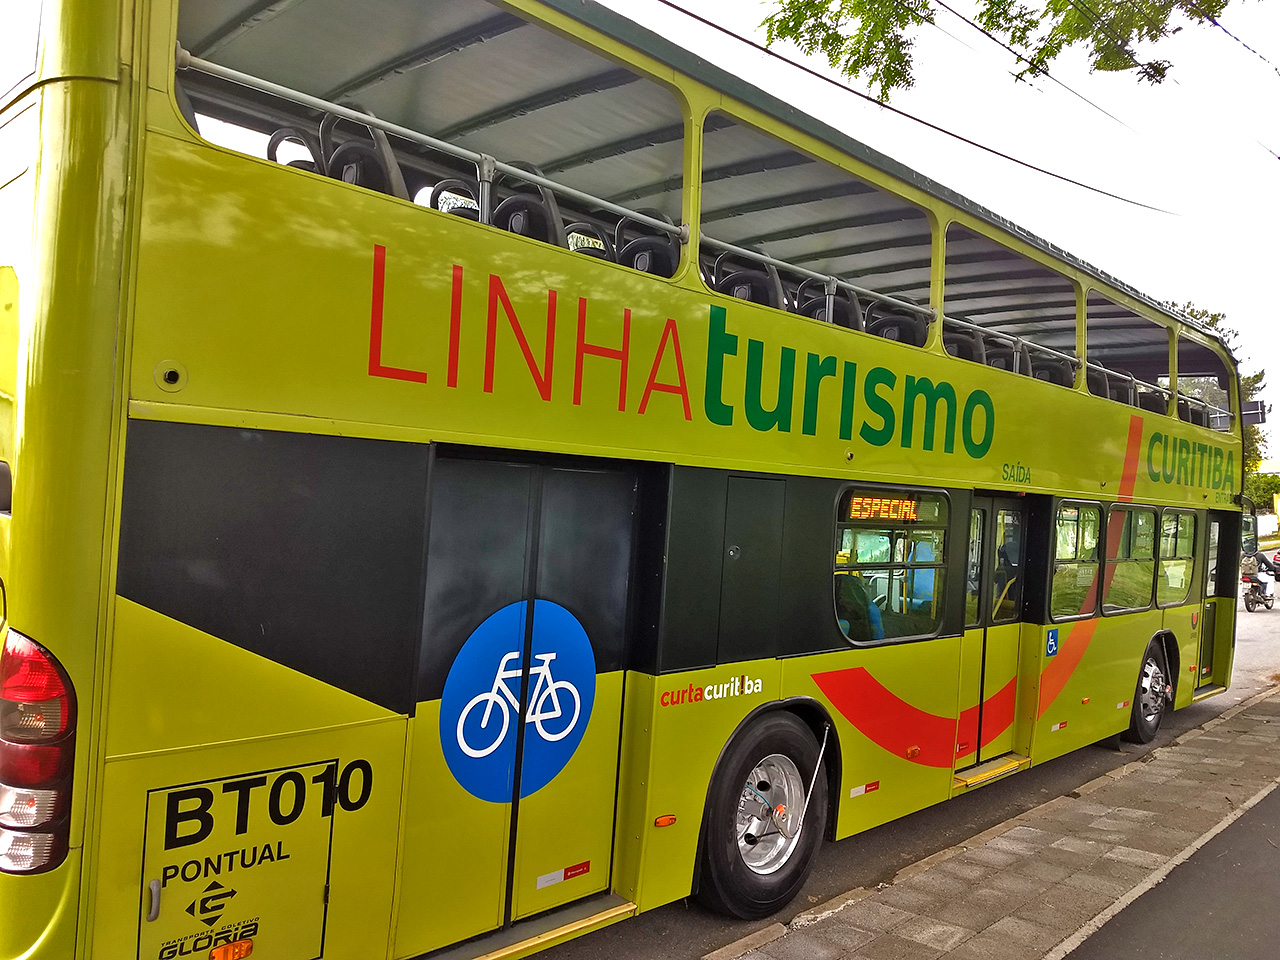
(685, 931)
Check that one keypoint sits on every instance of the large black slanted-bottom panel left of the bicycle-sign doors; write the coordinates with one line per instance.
(304, 550)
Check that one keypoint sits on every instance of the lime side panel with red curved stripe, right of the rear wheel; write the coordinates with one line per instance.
(895, 711)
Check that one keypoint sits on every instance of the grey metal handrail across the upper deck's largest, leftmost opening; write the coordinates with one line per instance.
(487, 167)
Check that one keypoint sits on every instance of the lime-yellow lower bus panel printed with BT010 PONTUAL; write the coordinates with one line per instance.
(289, 842)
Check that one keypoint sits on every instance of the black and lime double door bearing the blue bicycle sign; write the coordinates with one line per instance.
(514, 752)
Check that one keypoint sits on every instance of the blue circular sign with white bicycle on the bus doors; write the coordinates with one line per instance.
(481, 707)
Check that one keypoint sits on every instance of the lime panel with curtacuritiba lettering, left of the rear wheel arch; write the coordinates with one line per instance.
(696, 714)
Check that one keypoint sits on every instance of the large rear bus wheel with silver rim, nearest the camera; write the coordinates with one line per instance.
(749, 868)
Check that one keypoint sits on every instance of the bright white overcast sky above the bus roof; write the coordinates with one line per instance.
(1188, 147)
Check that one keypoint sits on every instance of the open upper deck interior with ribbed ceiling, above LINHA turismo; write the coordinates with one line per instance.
(778, 223)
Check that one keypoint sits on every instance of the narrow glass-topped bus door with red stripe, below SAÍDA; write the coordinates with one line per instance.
(991, 644)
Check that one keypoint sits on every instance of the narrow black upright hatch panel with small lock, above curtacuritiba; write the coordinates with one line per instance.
(696, 559)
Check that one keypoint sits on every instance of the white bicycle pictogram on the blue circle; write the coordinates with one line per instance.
(547, 703)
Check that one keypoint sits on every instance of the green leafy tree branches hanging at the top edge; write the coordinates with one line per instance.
(871, 39)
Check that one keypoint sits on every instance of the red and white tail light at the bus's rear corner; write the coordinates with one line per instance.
(38, 748)
